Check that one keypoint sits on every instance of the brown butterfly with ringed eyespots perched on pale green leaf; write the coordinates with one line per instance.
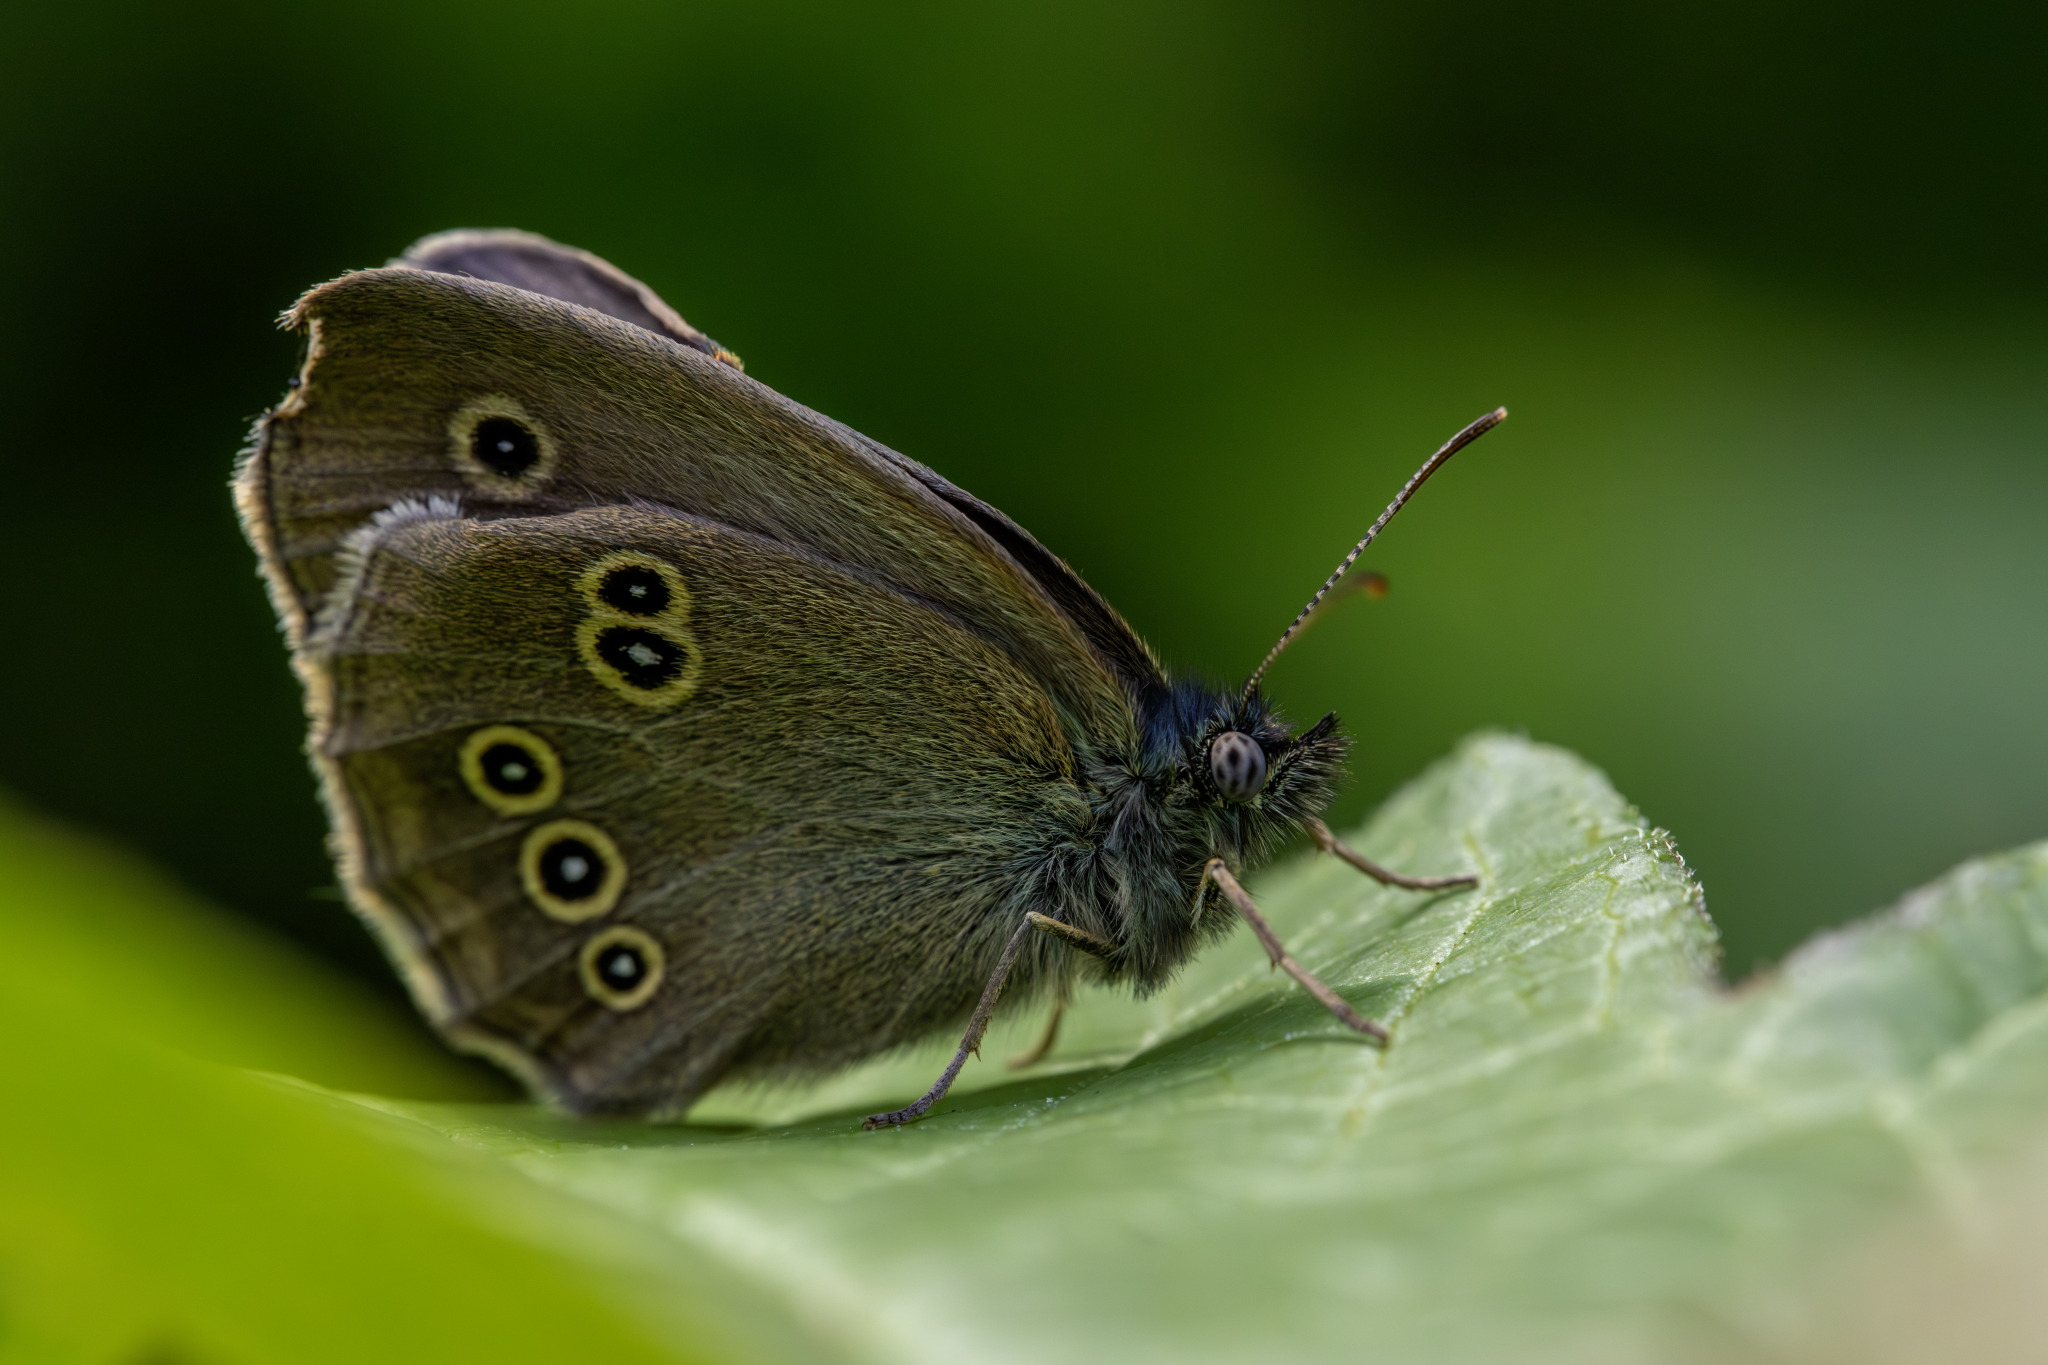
(675, 734)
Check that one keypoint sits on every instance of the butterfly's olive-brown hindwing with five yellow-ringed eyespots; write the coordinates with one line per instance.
(818, 818)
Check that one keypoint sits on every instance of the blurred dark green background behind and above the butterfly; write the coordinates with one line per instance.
(1187, 290)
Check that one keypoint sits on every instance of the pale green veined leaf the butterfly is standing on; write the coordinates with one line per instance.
(1578, 1145)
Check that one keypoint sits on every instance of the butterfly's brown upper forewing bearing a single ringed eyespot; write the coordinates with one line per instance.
(404, 365)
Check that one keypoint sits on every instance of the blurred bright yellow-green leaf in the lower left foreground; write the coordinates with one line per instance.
(165, 1210)
